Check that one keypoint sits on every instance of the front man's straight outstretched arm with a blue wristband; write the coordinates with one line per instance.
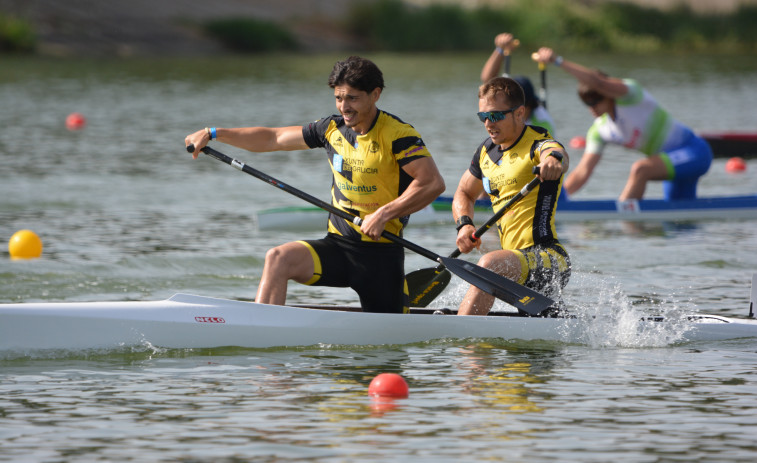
(256, 139)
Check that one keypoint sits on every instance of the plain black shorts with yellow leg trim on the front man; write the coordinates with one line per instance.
(376, 271)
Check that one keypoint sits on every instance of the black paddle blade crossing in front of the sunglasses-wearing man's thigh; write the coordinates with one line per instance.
(520, 297)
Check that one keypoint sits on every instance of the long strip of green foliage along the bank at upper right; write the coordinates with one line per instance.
(394, 25)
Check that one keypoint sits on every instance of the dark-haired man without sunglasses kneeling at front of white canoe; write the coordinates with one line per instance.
(382, 172)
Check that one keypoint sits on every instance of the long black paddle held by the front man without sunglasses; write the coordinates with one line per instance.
(523, 298)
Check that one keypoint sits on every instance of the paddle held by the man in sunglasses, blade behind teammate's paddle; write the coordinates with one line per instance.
(426, 284)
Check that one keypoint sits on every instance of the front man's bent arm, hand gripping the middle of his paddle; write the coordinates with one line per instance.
(426, 186)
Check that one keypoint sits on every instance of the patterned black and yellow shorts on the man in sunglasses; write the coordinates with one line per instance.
(544, 268)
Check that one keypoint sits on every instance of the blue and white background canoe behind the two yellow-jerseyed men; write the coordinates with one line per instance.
(582, 210)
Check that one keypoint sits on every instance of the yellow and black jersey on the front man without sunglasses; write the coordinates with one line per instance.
(367, 169)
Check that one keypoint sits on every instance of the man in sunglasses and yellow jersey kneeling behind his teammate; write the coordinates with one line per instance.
(501, 166)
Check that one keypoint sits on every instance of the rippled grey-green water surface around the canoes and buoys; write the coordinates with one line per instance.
(125, 214)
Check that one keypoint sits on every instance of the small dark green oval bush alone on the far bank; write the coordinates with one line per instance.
(247, 35)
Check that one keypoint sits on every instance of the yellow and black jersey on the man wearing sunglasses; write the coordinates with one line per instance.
(530, 221)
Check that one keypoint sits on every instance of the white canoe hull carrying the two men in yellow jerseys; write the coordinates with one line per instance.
(186, 321)
